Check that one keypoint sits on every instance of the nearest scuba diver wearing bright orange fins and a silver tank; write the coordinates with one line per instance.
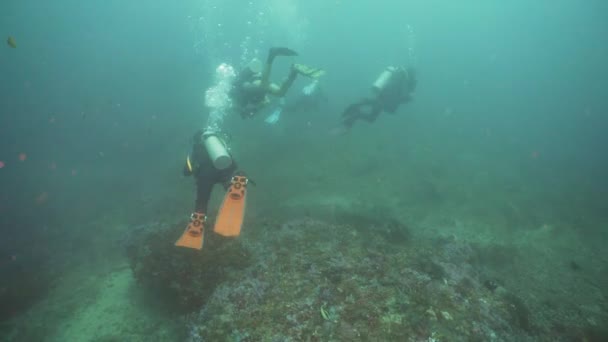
(210, 163)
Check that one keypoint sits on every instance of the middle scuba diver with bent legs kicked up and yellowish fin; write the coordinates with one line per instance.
(252, 86)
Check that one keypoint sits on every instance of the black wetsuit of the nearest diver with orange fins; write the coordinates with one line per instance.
(206, 174)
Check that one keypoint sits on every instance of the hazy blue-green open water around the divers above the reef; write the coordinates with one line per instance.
(103, 96)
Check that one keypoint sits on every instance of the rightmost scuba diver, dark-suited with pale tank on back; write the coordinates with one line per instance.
(391, 89)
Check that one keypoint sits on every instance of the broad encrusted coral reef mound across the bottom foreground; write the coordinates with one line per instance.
(311, 280)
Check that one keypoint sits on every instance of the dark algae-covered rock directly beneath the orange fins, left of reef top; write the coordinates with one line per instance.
(183, 278)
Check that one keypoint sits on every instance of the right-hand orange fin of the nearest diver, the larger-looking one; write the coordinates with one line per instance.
(230, 218)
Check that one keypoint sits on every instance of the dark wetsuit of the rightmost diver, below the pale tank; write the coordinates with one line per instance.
(387, 100)
